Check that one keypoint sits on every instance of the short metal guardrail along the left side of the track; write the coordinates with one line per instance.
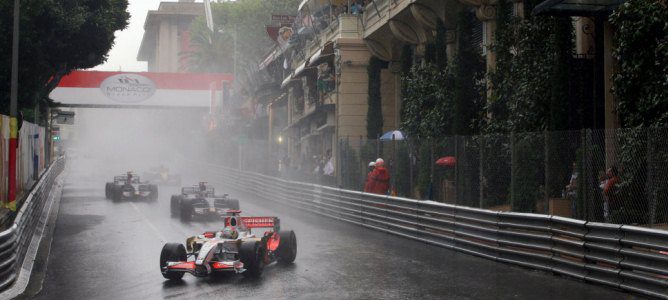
(14, 242)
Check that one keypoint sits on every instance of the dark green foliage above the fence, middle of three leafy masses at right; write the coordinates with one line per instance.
(533, 58)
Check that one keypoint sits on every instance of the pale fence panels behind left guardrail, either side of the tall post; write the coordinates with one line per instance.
(30, 157)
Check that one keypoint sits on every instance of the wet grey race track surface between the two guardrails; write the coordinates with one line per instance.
(107, 250)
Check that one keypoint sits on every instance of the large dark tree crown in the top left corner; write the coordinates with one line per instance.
(56, 37)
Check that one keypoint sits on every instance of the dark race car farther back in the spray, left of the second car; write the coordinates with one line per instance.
(129, 186)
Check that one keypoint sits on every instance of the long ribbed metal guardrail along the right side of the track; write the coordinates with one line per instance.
(619, 256)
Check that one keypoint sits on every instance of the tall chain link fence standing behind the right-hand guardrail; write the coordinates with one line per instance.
(616, 176)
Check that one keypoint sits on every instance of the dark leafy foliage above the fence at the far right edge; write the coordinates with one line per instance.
(641, 47)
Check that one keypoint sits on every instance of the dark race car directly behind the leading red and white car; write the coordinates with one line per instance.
(201, 200)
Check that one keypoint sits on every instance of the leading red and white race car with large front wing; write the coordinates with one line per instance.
(233, 249)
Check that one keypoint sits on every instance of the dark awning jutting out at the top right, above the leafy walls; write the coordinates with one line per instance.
(581, 8)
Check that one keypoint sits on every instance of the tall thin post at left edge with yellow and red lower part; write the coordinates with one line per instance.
(13, 111)
